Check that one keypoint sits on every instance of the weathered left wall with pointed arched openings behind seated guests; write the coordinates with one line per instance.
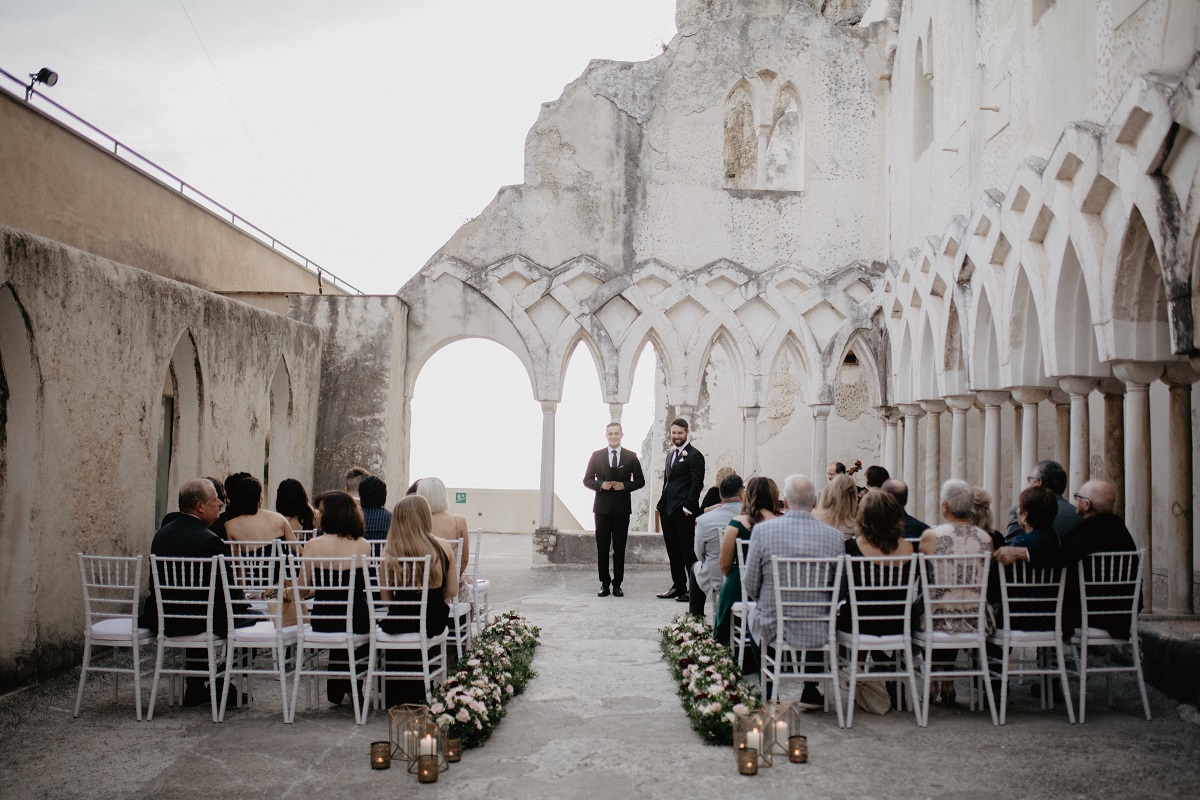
(101, 338)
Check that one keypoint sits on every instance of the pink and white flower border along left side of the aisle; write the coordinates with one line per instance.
(472, 702)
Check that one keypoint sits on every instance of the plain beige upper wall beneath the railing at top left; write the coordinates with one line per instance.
(62, 187)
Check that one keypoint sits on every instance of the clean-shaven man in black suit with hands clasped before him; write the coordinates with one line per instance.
(614, 474)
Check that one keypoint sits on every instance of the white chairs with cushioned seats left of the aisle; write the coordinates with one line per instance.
(112, 592)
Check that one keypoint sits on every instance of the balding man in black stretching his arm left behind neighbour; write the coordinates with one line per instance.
(1101, 532)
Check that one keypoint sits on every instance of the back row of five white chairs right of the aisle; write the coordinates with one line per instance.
(955, 598)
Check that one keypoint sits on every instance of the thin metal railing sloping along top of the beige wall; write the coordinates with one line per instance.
(81, 127)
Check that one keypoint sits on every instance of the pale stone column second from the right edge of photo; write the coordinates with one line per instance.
(1138, 378)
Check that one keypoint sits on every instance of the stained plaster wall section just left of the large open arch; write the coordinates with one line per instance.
(363, 406)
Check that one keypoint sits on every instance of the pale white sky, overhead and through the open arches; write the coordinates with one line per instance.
(363, 135)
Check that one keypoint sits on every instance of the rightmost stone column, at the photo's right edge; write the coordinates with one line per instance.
(1180, 548)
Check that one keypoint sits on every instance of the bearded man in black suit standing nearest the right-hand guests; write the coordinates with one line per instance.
(680, 506)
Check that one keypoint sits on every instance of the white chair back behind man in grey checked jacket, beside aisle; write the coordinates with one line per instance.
(807, 592)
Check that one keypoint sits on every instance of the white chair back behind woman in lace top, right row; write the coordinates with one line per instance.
(955, 590)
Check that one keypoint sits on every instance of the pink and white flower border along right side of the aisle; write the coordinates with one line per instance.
(711, 684)
